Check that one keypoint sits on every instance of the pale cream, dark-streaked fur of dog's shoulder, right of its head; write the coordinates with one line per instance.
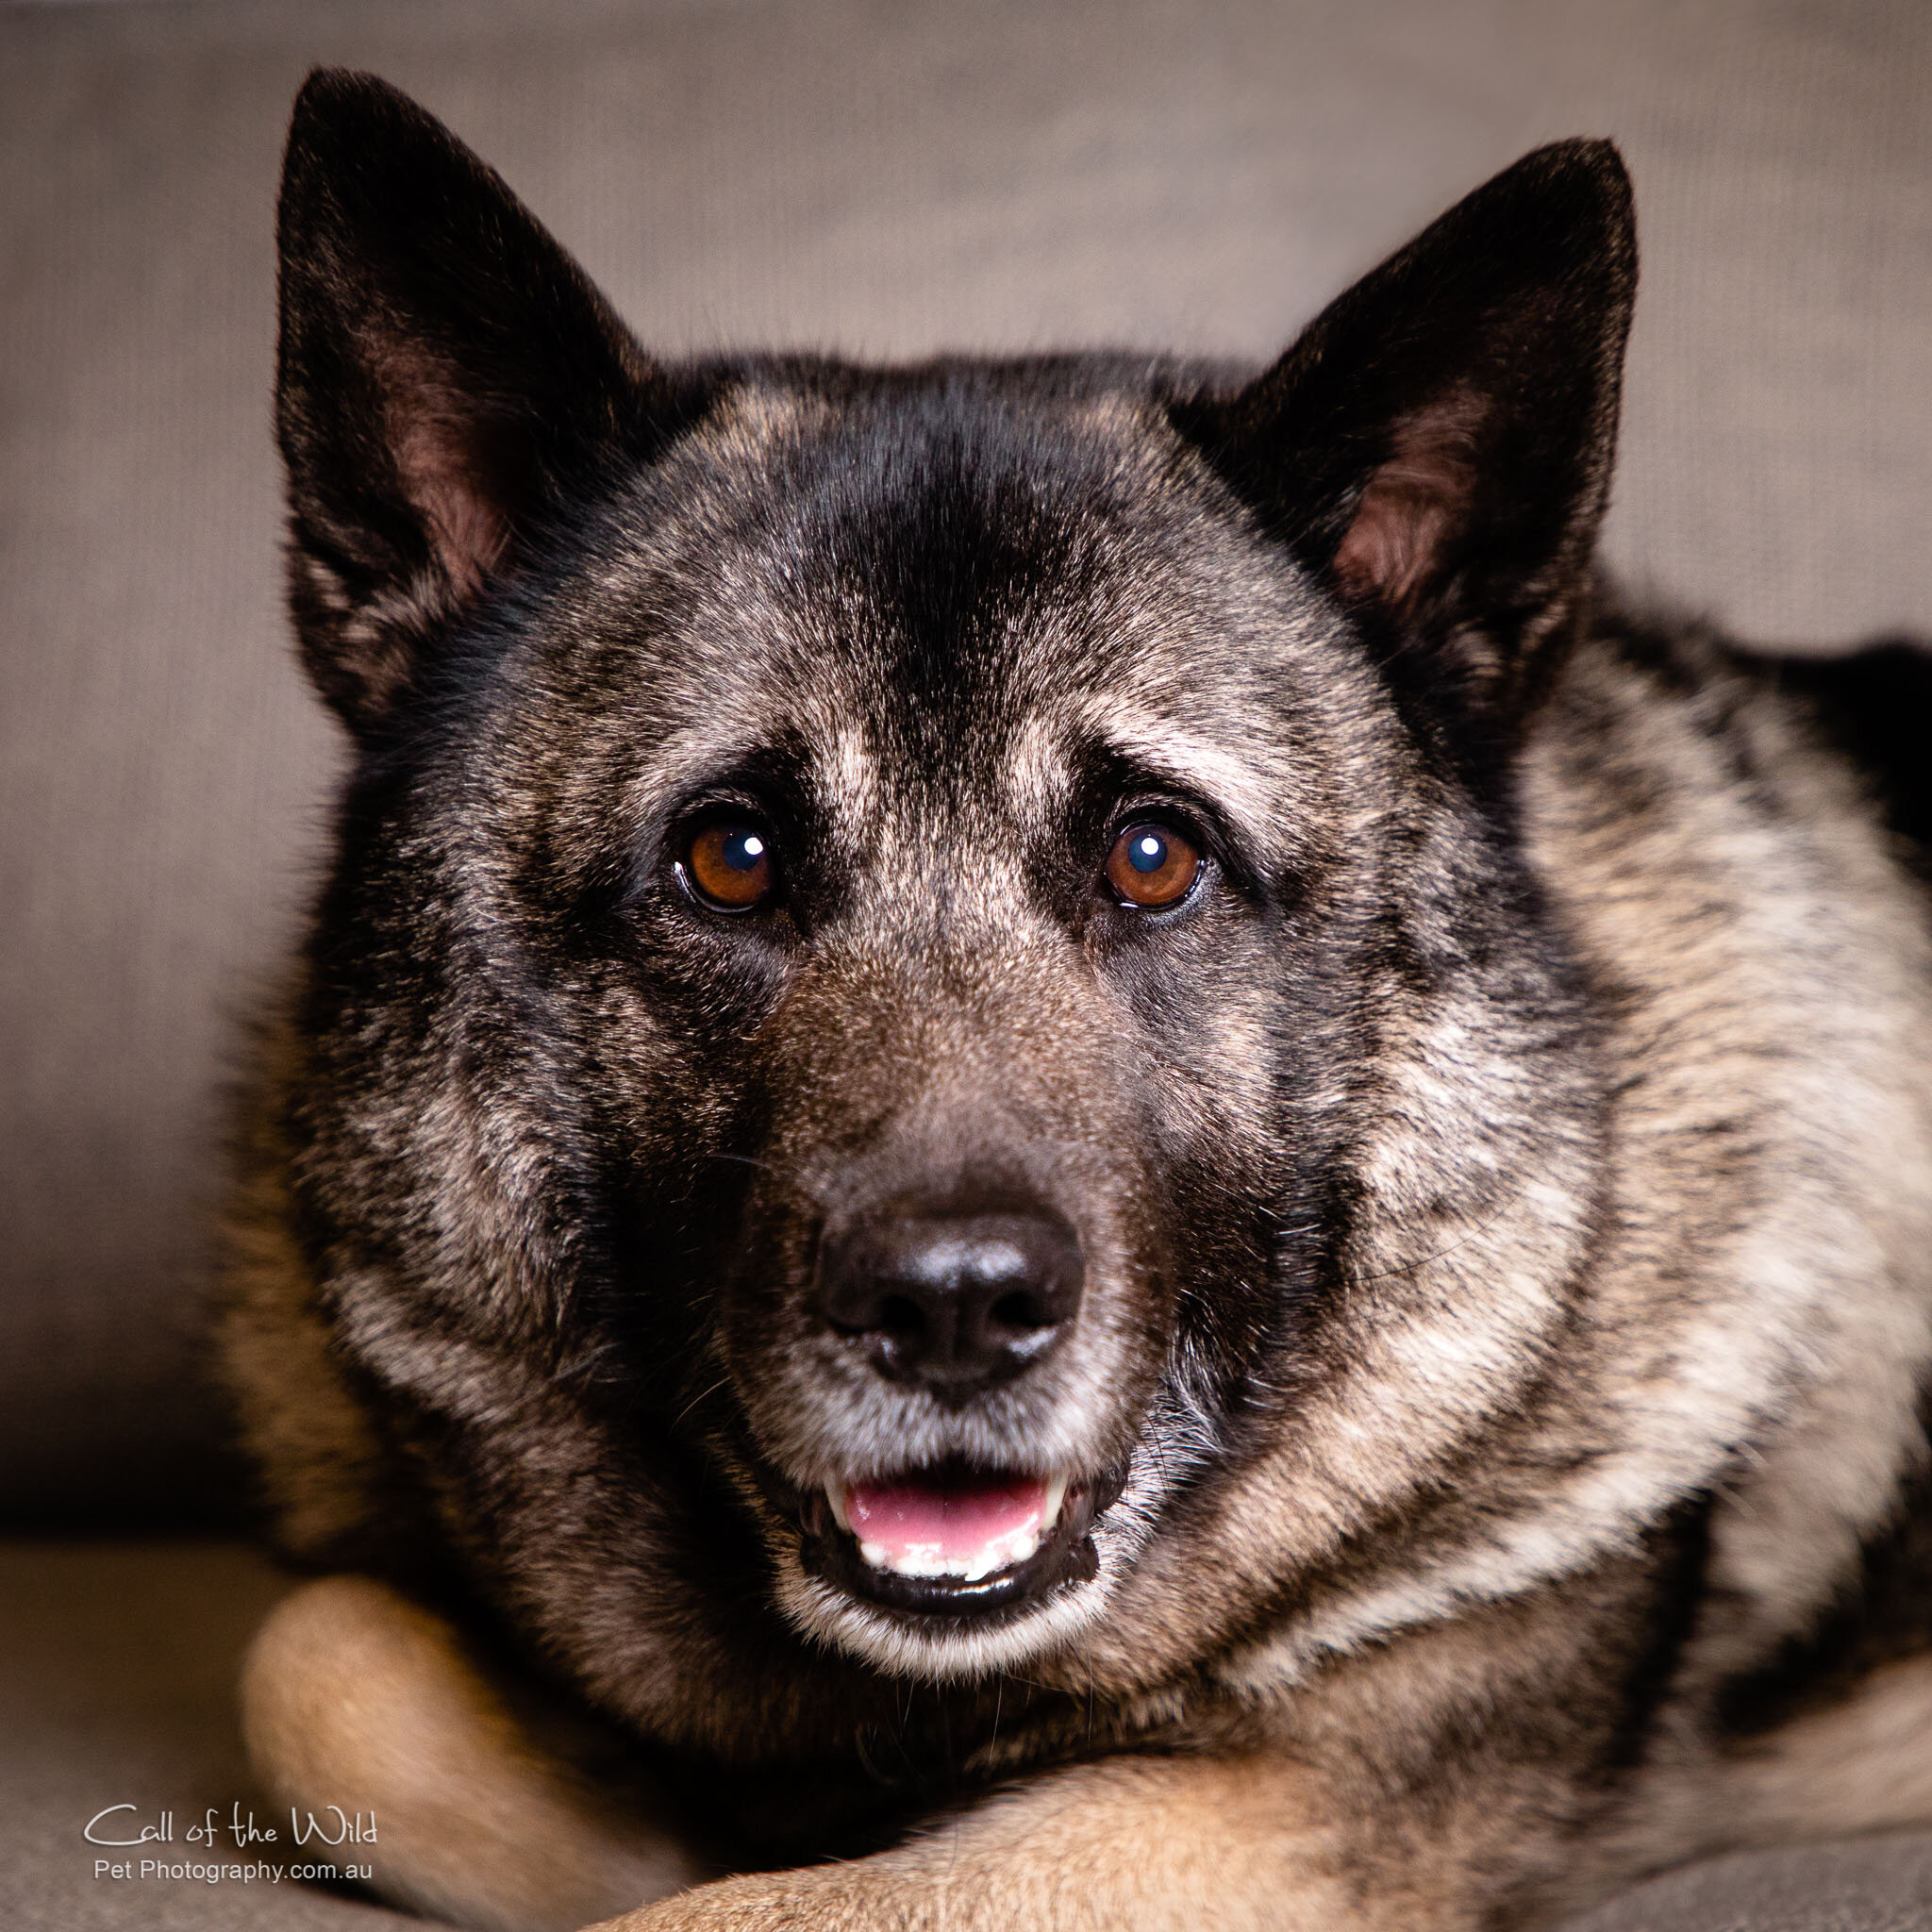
(1726, 839)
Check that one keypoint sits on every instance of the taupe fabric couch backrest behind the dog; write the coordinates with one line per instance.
(886, 179)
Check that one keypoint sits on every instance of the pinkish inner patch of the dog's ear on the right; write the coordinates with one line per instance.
(1411, 507)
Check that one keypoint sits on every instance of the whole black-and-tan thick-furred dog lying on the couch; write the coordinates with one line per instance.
(1060, 1147)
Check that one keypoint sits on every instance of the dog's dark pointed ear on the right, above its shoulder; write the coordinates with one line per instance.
(1438, 443)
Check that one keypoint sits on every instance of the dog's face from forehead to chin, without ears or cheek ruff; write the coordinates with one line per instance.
(953, 977)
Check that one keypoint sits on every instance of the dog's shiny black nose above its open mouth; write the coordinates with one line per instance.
(953, 1301)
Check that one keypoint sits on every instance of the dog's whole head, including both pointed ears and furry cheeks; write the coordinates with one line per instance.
(880, 1033)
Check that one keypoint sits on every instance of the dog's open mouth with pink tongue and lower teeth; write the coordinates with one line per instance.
(955, 1541)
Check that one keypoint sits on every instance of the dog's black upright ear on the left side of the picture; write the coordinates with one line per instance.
(449, 385)
